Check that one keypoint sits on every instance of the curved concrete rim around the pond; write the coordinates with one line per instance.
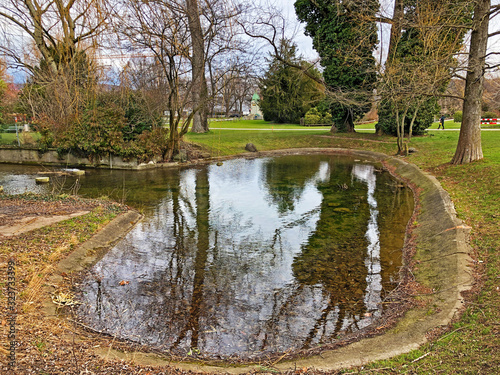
(442, 266)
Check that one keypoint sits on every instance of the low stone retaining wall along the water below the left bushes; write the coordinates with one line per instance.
(33, 156)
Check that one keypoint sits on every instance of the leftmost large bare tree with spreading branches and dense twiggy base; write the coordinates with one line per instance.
(53, 41)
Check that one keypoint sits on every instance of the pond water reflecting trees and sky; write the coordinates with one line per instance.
(248, 258)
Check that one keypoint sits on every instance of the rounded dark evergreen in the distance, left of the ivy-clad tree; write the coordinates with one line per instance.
(287, 93)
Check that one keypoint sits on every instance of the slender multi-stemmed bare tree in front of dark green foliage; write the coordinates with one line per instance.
(409, 80)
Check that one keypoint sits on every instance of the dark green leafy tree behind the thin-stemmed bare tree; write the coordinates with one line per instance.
(428, 35)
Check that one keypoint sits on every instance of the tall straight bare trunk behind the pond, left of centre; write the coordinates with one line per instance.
(199, 91)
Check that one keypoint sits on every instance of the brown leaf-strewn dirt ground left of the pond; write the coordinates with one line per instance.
(49, 345)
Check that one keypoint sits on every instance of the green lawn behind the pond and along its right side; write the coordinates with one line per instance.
(471, 345)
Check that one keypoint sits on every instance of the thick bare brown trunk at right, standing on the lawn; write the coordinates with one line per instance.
(469, 142)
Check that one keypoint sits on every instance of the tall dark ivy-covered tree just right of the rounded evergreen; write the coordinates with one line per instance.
(345, 35)
